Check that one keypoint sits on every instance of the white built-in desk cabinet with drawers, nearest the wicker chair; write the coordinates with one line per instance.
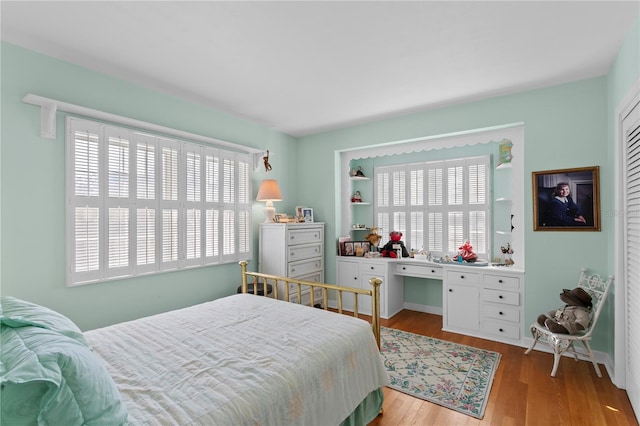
(484, 302)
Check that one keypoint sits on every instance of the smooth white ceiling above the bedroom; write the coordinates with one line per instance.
(307, 67)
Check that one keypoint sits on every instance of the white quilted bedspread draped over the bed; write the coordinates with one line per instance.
(243, 359)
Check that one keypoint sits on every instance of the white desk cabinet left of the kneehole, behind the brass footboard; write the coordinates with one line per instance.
(356, 272)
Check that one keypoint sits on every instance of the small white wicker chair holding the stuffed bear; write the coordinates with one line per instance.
(561, 343)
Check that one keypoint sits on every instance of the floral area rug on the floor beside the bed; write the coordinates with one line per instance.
(455, 376)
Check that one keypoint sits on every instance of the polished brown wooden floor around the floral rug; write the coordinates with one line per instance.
(523, 392)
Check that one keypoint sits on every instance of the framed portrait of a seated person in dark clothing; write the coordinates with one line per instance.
(566, 199)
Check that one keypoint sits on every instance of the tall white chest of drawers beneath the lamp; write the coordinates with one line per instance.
(294, 250)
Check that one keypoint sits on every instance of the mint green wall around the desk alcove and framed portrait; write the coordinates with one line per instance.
(565, 126)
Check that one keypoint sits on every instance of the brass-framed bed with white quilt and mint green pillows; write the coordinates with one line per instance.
(238, 360)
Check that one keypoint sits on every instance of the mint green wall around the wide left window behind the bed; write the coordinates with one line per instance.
(33, 191)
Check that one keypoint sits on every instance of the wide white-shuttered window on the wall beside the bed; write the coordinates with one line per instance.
(141, 204)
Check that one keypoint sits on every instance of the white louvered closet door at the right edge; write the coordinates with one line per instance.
(631, 129)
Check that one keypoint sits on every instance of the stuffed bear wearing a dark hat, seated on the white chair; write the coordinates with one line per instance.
(574, 317)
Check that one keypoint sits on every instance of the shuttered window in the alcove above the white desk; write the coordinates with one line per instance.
(436, 205)
